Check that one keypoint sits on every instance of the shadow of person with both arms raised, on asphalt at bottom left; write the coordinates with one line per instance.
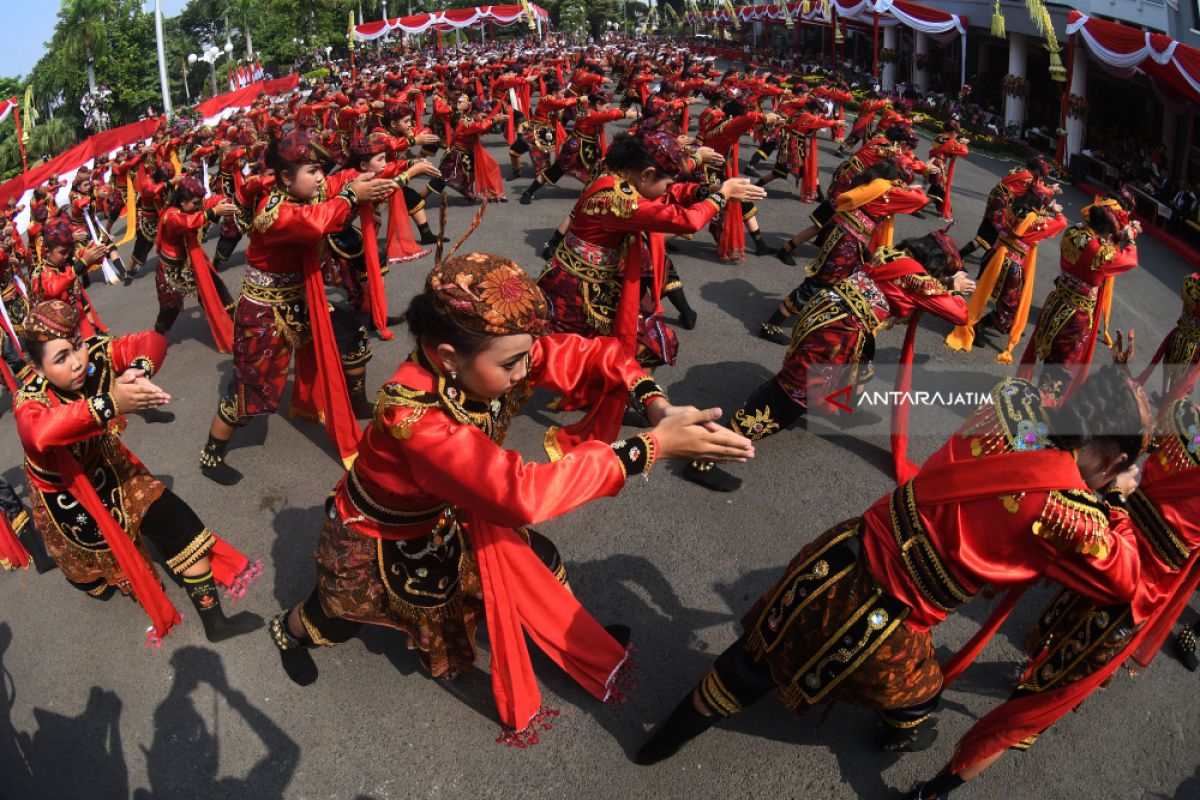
(184, 759)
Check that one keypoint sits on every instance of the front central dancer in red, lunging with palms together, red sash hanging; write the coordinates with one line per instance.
(428, 532)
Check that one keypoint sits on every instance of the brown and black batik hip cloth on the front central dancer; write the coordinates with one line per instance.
(427, 587)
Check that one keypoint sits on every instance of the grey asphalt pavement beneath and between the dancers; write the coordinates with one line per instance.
(86, 712)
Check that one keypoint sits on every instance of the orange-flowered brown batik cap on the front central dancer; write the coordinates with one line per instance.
(488, 294)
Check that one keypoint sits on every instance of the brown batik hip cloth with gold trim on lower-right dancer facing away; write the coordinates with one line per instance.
(829, 630)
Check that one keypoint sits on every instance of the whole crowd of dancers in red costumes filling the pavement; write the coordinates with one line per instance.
(429, 530)
